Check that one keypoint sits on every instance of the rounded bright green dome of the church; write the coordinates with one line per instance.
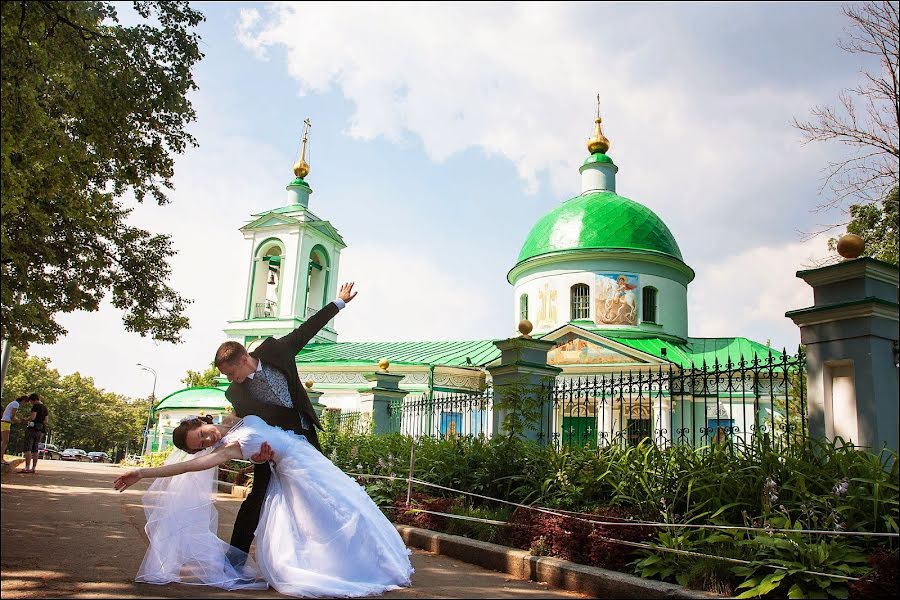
(600, 220)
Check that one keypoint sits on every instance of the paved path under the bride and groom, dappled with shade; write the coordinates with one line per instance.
(66, 533)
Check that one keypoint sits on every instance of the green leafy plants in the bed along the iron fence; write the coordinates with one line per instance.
(816, 486)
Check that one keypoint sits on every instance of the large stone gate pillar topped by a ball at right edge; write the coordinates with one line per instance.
(851, 335)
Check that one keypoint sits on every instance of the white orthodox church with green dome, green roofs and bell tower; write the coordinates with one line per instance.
(599, 274)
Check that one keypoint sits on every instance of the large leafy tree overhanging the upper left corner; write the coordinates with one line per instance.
(92, 112)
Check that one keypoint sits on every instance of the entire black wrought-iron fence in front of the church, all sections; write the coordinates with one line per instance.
(728, 404)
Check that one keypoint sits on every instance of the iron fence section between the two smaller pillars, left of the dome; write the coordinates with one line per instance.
(443, 414)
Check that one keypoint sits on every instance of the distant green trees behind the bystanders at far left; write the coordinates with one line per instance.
(81, 415)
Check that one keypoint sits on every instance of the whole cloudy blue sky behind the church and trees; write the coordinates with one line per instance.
(442, 132)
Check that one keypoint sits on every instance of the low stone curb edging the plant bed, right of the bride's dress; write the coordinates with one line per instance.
(567, 575)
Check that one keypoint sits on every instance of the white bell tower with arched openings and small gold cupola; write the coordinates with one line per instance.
(292, 261)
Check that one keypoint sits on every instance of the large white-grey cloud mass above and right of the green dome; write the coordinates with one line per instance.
(701, 137)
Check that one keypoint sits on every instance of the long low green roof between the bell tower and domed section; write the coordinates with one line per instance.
(455, 354)
